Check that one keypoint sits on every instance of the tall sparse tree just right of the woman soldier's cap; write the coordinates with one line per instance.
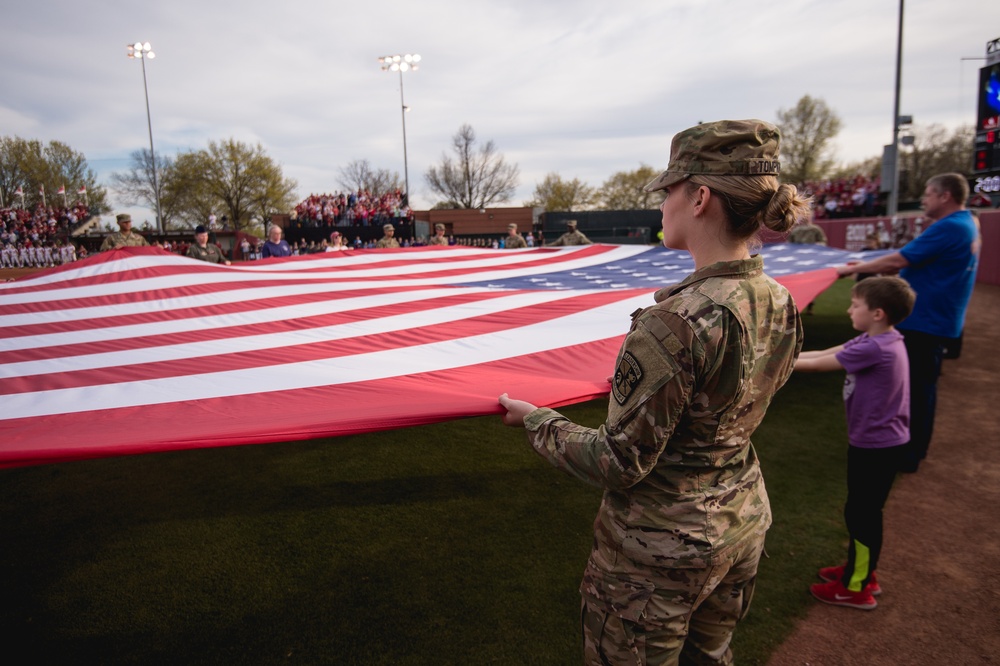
(807, 130)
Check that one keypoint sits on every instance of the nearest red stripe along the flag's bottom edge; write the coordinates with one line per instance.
(315, 412)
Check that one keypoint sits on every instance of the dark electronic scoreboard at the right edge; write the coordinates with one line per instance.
(986, 152)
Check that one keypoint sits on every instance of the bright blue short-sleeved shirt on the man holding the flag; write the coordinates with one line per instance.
(943, 261)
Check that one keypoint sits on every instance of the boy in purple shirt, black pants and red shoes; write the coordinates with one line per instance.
(877, 398)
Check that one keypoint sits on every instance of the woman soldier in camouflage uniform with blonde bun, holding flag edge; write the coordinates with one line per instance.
(681, 526)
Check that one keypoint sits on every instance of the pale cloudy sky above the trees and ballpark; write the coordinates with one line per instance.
(582, 88)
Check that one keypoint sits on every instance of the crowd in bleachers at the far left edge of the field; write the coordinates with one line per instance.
(39, 237)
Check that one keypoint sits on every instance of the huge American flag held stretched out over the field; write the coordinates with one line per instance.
(137, 350)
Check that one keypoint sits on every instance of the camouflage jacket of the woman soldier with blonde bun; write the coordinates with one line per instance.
(692, 381)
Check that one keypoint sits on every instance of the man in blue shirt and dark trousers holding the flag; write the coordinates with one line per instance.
(940, 265)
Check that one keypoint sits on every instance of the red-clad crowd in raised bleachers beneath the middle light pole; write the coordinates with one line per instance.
(359, 208)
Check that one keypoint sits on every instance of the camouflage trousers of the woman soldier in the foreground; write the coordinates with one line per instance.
(689, 617)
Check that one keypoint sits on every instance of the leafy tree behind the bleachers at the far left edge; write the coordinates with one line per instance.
(30, 165)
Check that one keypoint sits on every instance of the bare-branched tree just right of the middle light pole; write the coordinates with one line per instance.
(477, 177)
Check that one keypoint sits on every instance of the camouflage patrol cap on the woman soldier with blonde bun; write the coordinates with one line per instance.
(722, 148)
